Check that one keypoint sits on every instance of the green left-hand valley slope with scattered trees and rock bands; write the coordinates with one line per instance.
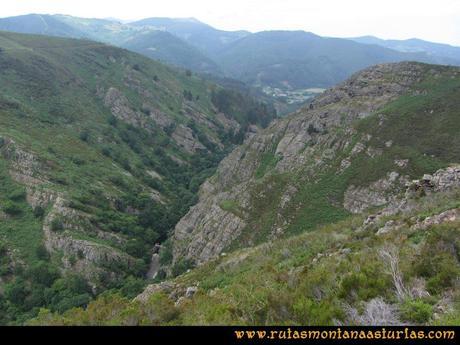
(102, 151)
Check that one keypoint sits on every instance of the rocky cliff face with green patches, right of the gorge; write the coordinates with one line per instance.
(308, 167)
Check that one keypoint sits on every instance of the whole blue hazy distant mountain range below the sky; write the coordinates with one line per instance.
(287, 60)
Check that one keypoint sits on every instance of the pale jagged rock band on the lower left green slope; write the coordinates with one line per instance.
(86, 257)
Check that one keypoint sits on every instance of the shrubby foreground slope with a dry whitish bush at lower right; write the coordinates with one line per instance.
(343, 273)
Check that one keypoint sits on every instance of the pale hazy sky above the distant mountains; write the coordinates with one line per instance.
(434, 20)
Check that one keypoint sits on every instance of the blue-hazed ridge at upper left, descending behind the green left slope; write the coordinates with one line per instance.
(156, 44)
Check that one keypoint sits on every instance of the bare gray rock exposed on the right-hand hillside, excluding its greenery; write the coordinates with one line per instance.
(303, 142)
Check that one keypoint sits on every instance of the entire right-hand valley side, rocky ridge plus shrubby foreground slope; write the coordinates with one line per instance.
(345, 212)
